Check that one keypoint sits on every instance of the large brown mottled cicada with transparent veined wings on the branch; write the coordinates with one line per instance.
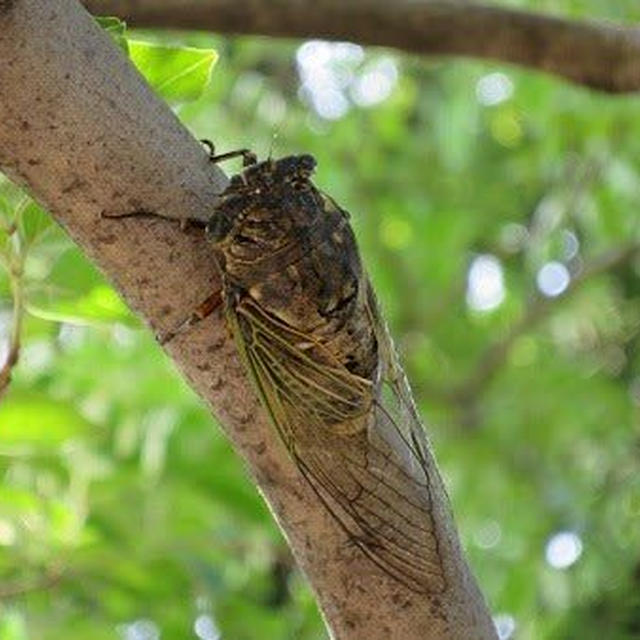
(308, 328)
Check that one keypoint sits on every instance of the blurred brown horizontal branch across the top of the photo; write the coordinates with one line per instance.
(599, 55)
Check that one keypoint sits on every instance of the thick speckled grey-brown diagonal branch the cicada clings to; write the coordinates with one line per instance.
(83, 132)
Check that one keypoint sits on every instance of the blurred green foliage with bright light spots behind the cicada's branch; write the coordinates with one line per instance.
(497, 212)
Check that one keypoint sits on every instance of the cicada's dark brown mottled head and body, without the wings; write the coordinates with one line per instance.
(287, 248)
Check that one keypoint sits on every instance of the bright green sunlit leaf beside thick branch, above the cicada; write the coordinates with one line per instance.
(178, 74)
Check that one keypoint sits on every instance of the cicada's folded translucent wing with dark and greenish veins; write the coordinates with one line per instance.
(343, 434)
